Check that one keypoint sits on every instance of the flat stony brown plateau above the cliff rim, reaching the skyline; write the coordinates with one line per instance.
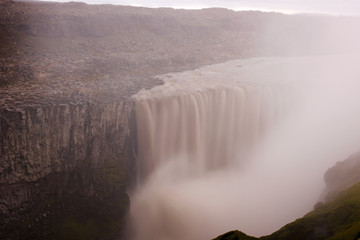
(60, 52)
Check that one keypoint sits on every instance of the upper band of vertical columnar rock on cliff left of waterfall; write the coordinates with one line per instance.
(36, 141)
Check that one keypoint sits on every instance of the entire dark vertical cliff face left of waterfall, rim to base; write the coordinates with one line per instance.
(68, 162)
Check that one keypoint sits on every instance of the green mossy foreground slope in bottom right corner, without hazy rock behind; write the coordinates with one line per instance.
(335, 220)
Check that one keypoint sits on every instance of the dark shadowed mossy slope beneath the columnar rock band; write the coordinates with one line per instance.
(88, 204)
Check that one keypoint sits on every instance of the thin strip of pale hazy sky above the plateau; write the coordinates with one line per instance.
(337, 7)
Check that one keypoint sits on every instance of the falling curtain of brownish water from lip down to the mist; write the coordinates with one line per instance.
(210, 128)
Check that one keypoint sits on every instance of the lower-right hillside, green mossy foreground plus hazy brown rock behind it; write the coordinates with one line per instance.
(337, 219)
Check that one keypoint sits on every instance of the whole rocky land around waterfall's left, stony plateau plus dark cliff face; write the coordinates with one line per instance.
(67, 72)
